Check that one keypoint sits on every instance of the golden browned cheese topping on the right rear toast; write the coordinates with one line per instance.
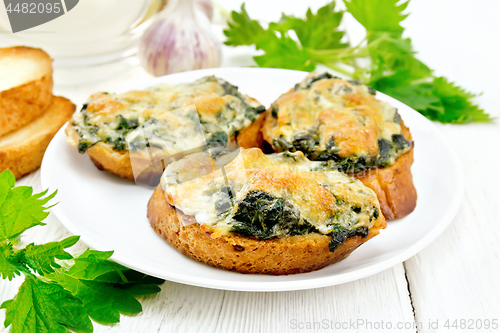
(335, 113)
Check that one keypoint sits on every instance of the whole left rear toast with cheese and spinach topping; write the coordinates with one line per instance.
(225, 116)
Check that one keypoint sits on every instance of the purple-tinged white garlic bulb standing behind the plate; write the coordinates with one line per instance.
(179, 40)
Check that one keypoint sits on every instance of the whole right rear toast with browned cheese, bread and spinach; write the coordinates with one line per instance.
(342, 124)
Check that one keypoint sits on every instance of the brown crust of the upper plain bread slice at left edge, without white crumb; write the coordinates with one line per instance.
(22, 104)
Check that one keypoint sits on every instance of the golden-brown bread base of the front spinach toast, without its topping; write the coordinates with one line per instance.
(278, 256)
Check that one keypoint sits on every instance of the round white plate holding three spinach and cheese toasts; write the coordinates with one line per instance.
(109, 213)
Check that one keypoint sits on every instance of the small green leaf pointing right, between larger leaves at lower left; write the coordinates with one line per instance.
(41, 258)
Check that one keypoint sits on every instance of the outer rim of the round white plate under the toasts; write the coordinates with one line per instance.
(271, 286)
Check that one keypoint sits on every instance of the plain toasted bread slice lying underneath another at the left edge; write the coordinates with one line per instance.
(22, 151)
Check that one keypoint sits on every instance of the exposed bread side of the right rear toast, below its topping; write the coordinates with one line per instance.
(393, 184)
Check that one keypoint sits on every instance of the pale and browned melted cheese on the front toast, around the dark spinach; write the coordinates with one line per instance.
(326, 199)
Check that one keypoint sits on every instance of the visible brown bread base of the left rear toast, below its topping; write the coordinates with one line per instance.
(118, 163)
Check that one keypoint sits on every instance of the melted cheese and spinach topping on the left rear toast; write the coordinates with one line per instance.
(108, 118)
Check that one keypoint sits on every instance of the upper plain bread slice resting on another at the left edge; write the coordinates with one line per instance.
(25, 86)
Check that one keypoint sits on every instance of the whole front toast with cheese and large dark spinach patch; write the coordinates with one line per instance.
(254, 213)
